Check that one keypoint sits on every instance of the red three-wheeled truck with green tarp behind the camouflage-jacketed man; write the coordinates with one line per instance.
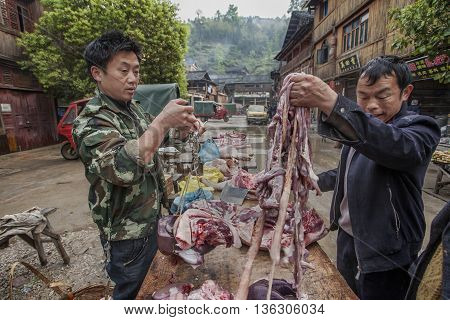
(152, 98)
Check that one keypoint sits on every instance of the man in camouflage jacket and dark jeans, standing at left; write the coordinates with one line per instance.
(118, 144)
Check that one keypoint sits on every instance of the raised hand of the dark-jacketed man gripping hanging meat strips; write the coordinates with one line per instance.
(310, 91)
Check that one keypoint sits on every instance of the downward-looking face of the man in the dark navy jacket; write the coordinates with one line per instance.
(384, 98)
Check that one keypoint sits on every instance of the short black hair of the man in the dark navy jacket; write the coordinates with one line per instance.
(385, 66)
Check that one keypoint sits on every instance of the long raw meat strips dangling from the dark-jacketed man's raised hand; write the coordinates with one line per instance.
(288, 169)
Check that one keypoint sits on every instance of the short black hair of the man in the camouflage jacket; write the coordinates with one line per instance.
(100, 51)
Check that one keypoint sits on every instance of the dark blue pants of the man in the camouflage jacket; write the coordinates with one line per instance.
(130, 260)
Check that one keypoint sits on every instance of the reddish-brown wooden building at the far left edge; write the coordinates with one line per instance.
(27, 114)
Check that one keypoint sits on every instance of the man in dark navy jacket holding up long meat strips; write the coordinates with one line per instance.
(377, 204)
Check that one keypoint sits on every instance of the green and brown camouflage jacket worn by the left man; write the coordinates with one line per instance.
(125, 194)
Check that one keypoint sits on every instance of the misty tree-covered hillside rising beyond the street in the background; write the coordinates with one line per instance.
(228, 40)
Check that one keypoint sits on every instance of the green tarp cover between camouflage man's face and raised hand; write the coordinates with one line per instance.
(154, 97)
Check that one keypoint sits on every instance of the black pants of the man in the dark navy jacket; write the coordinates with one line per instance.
(388, 285)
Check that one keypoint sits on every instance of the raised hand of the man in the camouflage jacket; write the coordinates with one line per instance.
(176, 114)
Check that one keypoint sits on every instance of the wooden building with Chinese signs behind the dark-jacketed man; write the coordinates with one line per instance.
(346, 34)
